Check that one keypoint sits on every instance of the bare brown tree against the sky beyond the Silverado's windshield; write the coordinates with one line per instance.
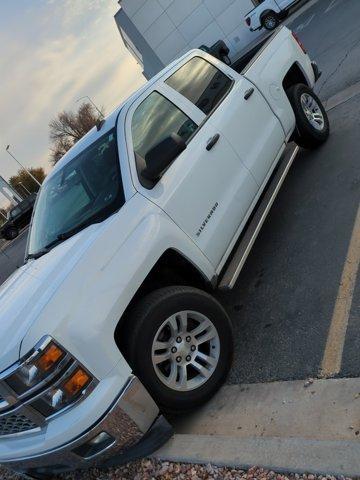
(69, 127)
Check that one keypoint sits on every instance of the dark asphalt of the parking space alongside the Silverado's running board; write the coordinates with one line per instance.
(284, 299)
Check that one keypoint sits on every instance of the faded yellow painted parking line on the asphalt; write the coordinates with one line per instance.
(332, 359)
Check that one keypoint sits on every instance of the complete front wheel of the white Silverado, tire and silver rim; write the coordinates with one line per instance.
(180, 346)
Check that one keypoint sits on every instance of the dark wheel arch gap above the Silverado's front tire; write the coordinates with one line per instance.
(172, 268)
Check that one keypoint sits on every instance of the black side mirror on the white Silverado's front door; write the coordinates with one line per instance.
(162, 155)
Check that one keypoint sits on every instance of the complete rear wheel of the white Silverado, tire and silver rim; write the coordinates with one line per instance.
(312, 122)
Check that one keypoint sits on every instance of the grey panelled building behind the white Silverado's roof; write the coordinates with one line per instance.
(158, 31)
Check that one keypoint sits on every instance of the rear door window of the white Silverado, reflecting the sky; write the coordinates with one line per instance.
(201, 83)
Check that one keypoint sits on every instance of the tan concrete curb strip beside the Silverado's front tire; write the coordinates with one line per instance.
(292, 426)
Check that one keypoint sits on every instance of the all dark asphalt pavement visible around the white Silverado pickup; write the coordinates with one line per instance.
(283, 304)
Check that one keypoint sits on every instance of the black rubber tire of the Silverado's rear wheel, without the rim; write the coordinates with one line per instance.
(306, 135)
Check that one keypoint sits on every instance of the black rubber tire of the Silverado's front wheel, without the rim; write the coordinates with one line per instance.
(145, 321)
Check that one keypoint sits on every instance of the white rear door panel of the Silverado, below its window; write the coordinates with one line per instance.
(251, 128)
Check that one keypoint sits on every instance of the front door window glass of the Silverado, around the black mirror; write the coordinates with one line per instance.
(155, 119)
